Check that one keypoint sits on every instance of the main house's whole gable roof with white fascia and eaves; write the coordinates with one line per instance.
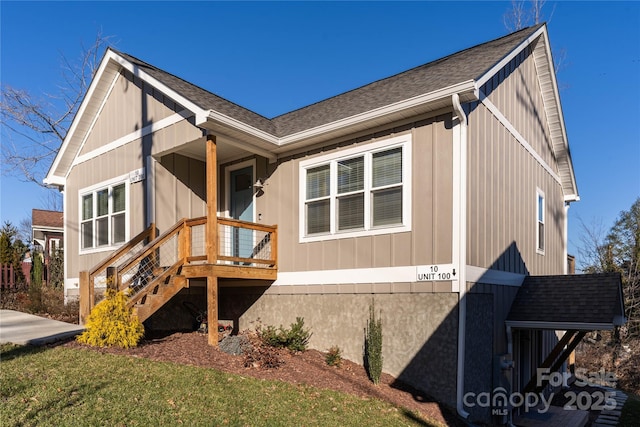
(419, 90)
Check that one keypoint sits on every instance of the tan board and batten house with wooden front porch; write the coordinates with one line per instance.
(432, 193)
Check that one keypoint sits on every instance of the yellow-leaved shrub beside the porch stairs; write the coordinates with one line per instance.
(111, 323)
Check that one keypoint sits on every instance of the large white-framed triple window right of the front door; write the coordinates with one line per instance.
(365, 190)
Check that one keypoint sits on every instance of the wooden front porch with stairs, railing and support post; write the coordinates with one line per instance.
(153, 270)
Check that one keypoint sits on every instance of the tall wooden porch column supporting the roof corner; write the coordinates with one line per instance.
(212, 239)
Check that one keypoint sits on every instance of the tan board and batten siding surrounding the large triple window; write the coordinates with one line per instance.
(428, 242)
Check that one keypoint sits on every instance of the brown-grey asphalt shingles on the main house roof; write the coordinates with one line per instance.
(468, 64)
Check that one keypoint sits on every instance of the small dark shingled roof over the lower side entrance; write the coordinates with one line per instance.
(578, 301)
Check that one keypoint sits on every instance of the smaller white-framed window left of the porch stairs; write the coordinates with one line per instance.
(103, 216)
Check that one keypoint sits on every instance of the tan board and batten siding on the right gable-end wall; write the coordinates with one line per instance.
(503, 177)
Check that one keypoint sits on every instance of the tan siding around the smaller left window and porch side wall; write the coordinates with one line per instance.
(178, 194)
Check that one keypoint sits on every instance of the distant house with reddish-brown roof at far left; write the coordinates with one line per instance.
(47, 231)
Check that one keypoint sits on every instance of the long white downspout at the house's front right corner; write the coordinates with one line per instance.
(460, 241)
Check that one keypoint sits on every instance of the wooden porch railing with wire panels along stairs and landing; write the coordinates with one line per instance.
(241, 245)
